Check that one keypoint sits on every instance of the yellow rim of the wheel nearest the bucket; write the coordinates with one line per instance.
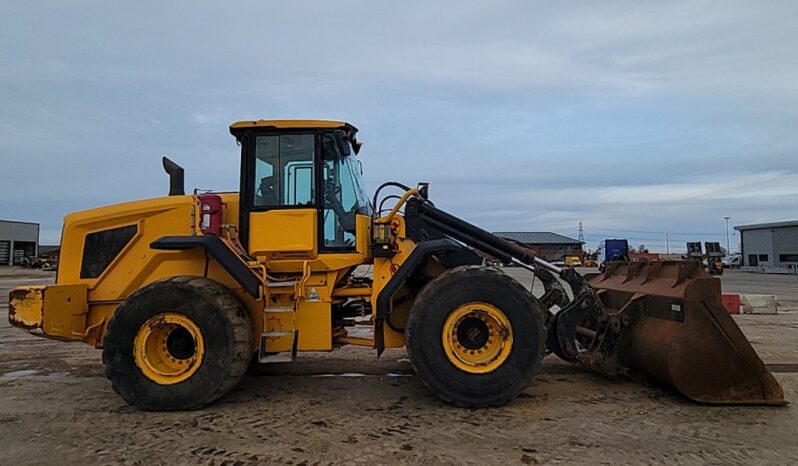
(477, 337)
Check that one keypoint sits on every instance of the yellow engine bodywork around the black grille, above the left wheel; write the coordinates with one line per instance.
(137, 264)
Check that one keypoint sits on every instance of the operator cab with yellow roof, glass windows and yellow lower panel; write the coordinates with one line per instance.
(298, 170)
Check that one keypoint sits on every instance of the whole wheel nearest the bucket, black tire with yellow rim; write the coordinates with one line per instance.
(475, 336)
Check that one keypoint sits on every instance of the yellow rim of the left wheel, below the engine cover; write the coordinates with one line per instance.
(169, 348)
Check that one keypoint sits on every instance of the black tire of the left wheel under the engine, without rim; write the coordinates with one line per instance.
(226, 332)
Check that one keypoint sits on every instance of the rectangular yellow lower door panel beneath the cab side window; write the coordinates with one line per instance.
(283, 234)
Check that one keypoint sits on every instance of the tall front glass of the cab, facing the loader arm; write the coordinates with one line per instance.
(344, 194)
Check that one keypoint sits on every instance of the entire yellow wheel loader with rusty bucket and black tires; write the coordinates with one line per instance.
(184, 292)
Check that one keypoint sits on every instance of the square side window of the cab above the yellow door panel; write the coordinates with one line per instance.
(284, 173)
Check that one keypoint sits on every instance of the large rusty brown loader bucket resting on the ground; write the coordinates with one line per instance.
(665, 321)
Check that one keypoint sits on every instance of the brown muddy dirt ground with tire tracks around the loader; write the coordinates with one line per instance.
(56, 407)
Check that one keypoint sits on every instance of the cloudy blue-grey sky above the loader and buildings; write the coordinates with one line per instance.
(636, 118)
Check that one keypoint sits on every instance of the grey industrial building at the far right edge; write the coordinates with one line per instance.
(770, 247)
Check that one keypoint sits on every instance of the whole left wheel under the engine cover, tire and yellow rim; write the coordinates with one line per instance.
(177, 344)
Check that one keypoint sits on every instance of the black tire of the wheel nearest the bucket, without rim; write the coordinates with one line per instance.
(433, 305)
